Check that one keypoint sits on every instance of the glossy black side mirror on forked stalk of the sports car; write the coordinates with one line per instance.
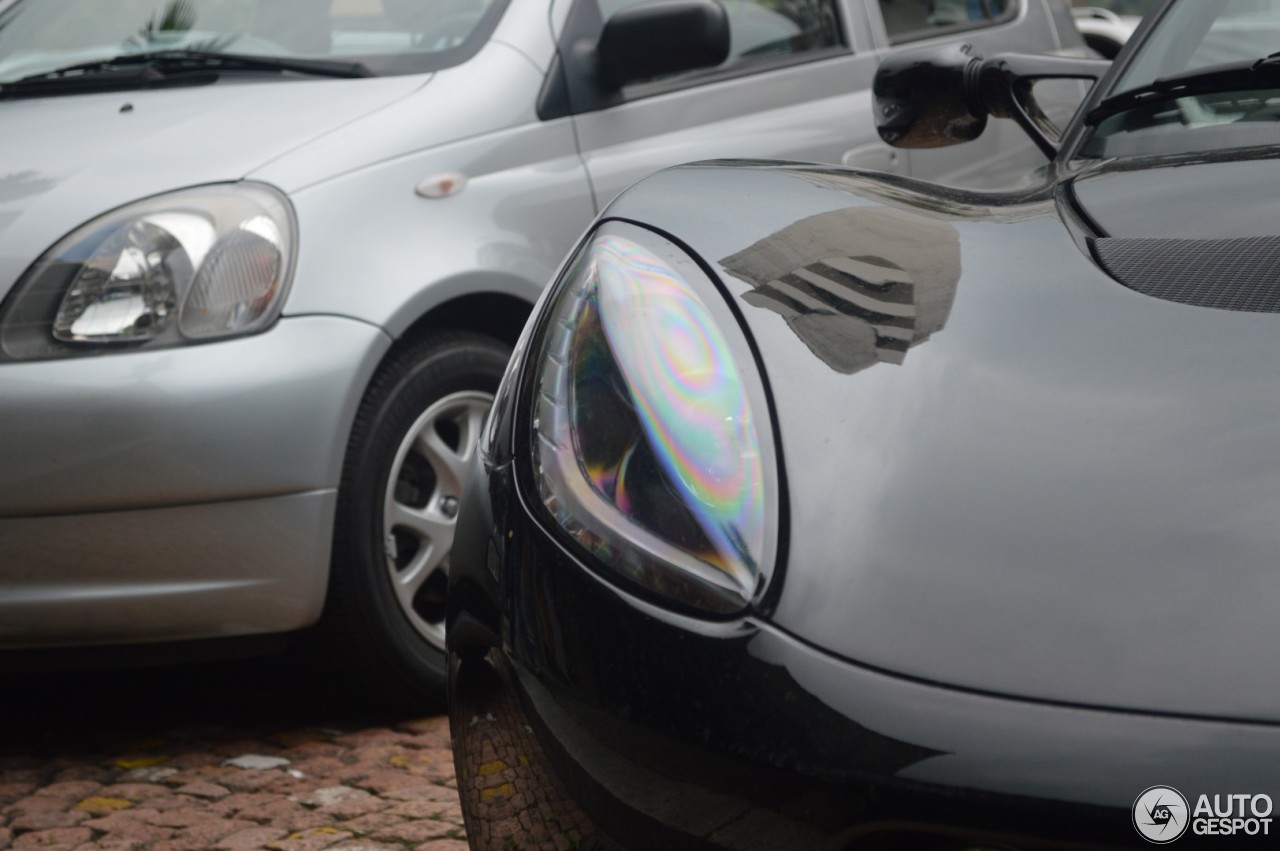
(944, 95)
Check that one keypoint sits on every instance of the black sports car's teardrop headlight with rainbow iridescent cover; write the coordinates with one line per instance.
(652, 441)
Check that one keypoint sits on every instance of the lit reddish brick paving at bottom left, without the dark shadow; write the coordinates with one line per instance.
(382, 789)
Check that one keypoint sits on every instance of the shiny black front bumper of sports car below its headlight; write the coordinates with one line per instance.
(582, 712)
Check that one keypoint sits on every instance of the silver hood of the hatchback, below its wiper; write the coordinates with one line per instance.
(79, 157)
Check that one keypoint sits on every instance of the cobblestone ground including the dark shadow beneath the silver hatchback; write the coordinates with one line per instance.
(207, 758)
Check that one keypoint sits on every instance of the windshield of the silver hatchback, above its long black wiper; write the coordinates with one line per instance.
(387, 36)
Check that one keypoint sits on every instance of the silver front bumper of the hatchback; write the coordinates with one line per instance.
(177, 495)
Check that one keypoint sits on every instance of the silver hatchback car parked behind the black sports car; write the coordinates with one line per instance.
(263, 263)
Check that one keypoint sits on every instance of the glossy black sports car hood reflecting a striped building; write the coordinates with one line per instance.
(1004, 470)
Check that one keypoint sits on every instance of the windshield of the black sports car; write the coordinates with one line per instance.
(1228, 97)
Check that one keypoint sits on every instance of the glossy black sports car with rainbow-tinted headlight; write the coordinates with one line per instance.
(830, 510)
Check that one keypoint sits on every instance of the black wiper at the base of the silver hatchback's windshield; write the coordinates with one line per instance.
(147, 70)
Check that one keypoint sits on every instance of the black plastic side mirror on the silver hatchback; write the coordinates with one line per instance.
(662, 38)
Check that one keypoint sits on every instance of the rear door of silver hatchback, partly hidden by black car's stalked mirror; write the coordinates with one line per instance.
(1003, 155)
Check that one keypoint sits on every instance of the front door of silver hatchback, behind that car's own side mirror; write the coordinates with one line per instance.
(796, 86)
